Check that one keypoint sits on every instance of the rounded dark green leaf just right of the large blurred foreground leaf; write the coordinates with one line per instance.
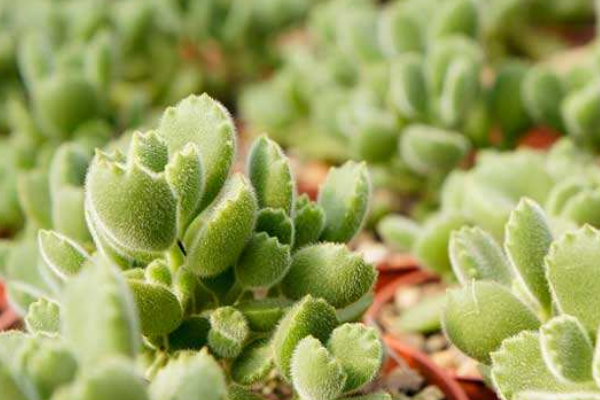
(158, 308)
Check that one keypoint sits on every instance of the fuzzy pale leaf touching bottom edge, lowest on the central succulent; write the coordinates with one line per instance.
(316, 373)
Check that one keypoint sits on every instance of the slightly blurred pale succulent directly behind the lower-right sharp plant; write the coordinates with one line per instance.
(564, 179)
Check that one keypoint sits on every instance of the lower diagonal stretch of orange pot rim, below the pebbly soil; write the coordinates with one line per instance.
(431, 372)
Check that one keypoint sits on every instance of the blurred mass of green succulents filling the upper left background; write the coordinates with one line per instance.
(83, 70)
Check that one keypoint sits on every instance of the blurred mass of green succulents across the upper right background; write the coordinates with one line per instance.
(407, 88)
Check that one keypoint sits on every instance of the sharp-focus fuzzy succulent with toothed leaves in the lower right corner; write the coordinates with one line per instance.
(527, 310)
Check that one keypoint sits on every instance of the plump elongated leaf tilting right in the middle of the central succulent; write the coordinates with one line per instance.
(217, 237)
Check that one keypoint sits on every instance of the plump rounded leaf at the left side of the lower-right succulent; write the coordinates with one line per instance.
(479, 316)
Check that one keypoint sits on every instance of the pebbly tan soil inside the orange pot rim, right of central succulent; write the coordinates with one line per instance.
(432, 343)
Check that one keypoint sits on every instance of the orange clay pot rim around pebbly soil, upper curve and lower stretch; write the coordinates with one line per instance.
(475, 387)
